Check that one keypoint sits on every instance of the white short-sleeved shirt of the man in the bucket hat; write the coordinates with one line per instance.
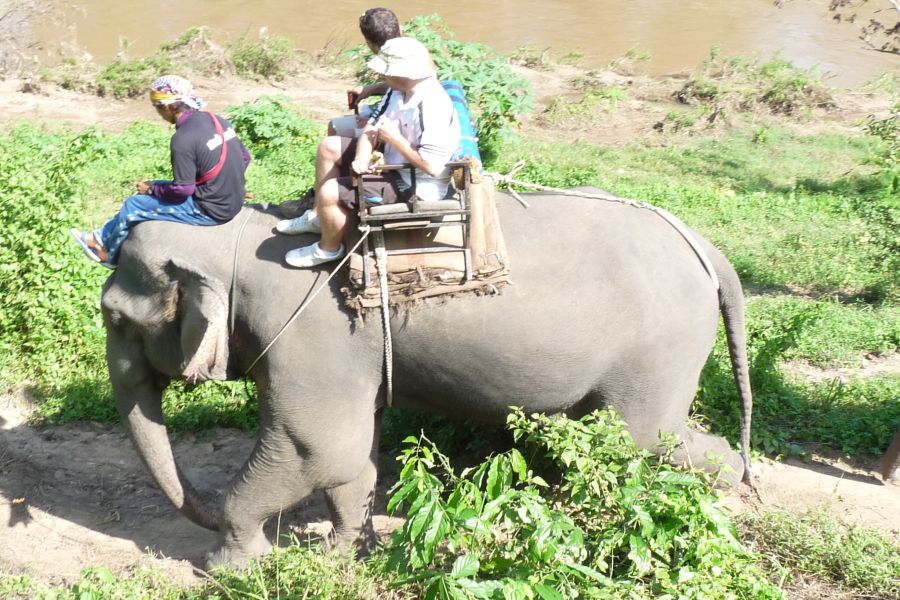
(428, 122)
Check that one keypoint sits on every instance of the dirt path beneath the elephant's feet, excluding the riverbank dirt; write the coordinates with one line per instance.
(78, 496)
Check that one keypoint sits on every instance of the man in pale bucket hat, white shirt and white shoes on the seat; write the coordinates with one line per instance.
(416, 123)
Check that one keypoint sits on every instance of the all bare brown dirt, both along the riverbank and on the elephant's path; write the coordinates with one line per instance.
(77, 496)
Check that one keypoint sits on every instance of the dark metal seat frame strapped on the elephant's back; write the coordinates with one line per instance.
(415, 214)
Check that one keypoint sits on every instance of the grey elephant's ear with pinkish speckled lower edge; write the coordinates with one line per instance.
(202, 308)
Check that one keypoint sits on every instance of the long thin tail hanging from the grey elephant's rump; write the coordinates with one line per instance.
(731, 303)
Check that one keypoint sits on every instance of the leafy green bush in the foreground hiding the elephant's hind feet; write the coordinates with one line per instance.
(618, 523)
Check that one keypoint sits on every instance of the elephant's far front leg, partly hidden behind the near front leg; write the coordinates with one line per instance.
(351, 505)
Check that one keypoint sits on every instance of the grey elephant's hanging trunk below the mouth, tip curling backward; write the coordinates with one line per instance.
(141, 411)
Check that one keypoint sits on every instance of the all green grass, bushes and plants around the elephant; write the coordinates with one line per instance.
(809, 220)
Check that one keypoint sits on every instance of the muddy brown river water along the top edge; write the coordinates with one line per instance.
(677, 34)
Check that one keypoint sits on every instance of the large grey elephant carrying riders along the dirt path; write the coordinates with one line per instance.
(608, 306)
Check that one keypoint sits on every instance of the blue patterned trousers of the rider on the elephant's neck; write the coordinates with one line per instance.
(139, 208)
